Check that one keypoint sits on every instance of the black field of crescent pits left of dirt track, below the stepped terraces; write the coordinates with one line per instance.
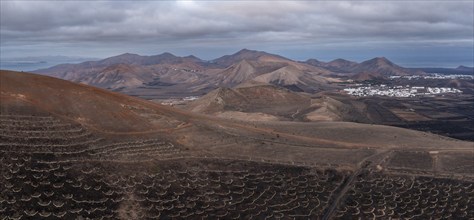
(42, 188)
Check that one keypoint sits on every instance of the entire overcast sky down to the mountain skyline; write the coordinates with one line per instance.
(411, 33)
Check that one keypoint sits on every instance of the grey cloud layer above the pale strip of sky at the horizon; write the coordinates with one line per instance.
(220, 23)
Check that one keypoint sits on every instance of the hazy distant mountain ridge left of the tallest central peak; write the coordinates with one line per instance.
(131, 71)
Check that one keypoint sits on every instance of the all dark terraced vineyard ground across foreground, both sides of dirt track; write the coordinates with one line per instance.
(55, 169)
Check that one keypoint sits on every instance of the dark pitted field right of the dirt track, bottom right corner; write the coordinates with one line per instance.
(404, 197)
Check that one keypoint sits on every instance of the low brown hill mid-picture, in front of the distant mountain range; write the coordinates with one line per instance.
(259, 101)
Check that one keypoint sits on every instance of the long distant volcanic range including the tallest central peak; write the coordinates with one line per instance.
(166, 73)
